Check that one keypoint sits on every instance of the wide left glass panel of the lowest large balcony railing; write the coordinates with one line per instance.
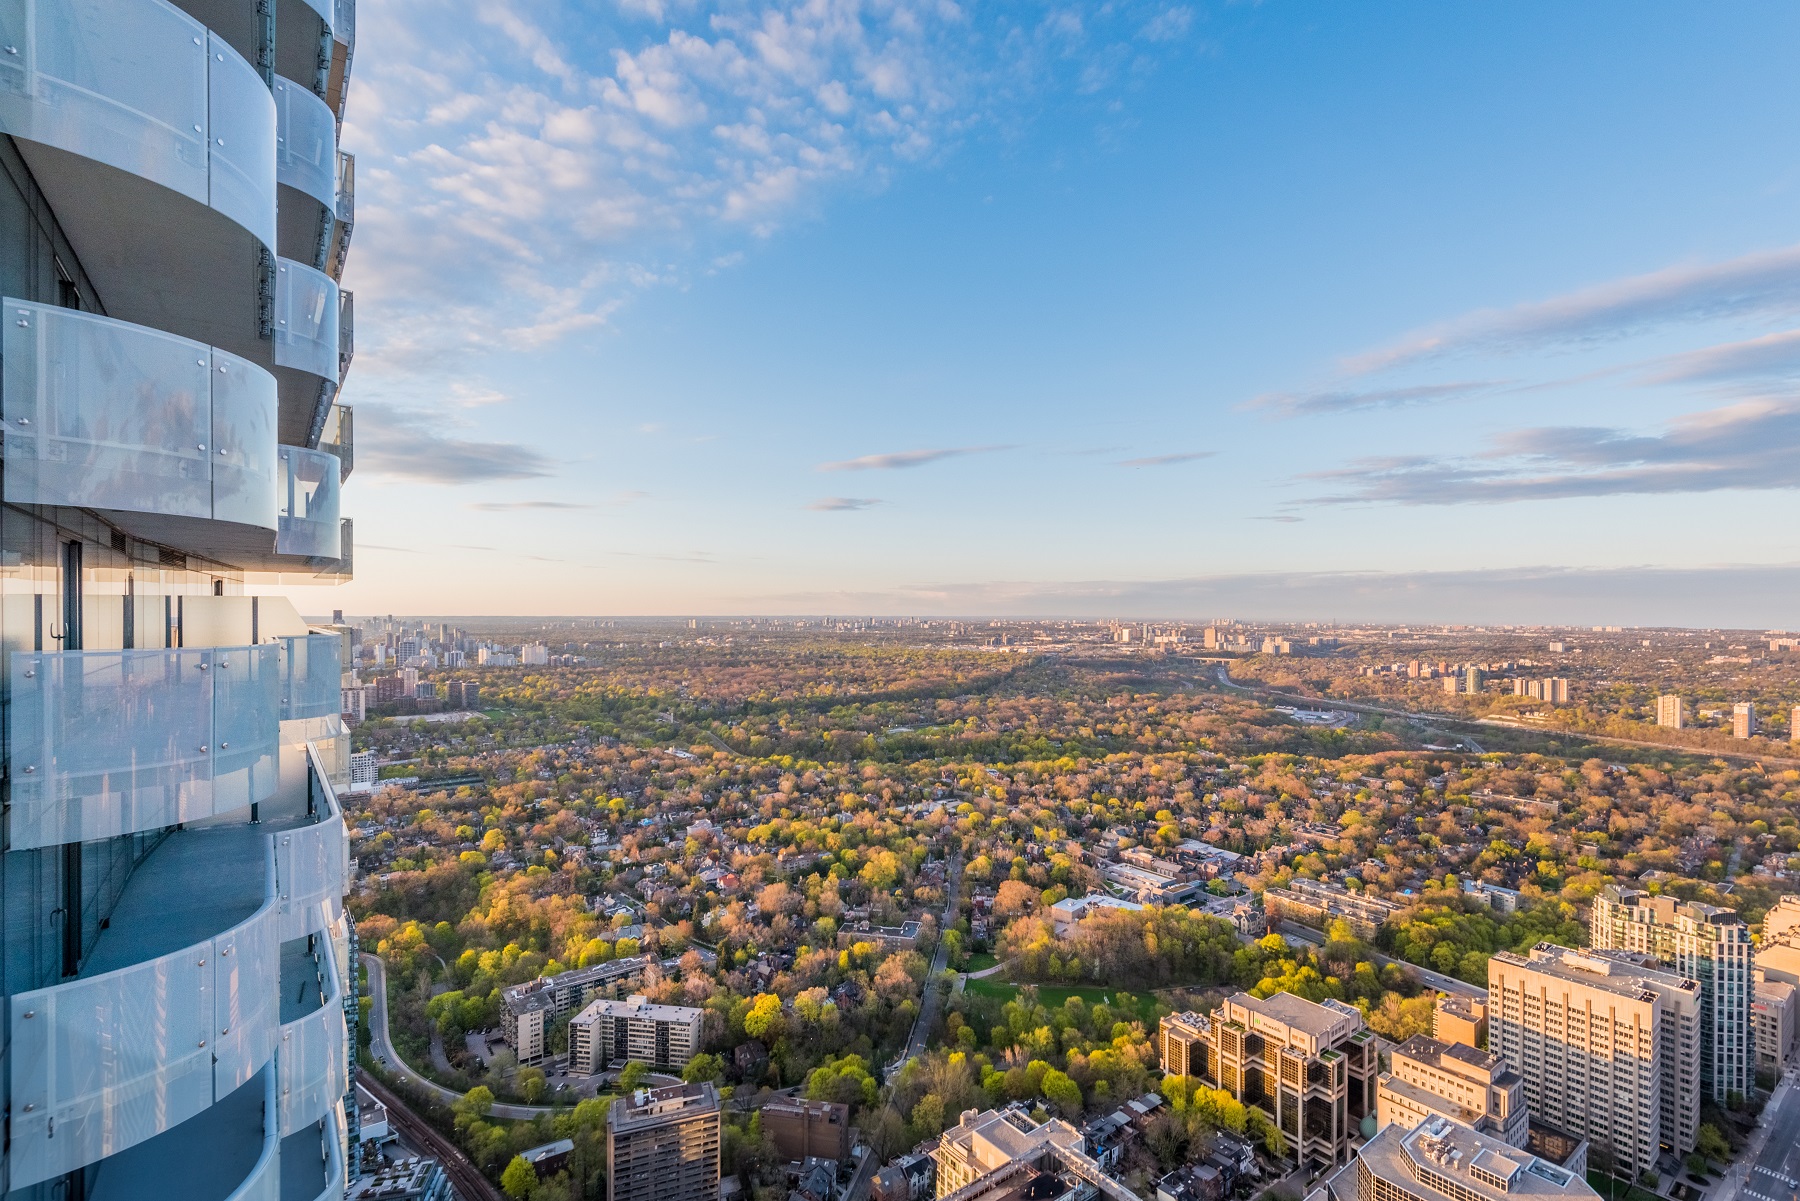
(109, 1061)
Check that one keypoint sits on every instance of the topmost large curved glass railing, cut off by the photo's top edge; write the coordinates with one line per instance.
(147, 89)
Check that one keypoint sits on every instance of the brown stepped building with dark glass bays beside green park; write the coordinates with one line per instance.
(1311, 1069)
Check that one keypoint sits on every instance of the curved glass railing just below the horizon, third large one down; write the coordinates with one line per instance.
(107, 743)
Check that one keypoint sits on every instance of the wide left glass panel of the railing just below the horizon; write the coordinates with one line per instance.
(107, 743)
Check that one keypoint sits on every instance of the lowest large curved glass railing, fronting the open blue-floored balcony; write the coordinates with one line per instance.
(105, 1063)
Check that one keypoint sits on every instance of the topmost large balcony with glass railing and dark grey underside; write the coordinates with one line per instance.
(156, 145)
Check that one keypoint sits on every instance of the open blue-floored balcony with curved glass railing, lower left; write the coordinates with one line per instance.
(188, 995)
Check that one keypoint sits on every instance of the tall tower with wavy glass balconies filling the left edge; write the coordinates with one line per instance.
(174, 219)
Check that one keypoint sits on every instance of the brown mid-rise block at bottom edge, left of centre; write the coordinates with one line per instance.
(663, 1144)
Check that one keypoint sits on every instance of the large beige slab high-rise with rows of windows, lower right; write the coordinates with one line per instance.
(1608, 1047)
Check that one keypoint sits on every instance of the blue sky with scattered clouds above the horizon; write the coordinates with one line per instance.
(1405, 312)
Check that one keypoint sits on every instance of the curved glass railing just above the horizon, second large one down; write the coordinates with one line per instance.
(109, 415)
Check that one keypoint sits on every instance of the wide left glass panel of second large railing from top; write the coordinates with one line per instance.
(105, 415)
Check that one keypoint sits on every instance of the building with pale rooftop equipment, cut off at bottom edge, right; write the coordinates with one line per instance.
(1444, 1160)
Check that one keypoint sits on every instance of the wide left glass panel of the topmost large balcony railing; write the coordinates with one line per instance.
(120, 82)
